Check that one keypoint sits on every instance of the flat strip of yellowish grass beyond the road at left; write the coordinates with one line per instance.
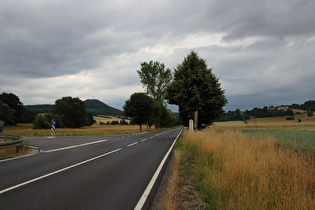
(96, 129)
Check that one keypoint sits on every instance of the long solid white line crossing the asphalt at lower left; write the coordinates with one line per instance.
(58, 171)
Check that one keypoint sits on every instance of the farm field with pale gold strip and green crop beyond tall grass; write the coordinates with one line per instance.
(289, 133)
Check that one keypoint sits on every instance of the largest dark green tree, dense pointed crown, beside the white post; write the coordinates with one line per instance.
(196, 88)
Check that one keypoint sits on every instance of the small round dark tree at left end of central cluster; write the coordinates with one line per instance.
(140, 107)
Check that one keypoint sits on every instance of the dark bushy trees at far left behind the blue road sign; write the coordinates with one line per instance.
(68, 112)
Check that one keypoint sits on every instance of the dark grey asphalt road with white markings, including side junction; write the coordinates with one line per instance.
(91, 172)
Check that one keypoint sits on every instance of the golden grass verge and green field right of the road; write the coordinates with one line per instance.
(266, 163)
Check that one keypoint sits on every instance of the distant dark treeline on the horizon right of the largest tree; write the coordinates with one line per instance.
(284, 110)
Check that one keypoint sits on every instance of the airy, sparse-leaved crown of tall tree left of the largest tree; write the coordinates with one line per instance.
(155, 78)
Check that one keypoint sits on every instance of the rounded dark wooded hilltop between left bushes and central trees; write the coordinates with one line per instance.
(97, 107)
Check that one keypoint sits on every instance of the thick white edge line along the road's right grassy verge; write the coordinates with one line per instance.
(147, 191)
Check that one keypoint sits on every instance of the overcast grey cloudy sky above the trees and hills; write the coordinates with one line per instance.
(262, 51)
